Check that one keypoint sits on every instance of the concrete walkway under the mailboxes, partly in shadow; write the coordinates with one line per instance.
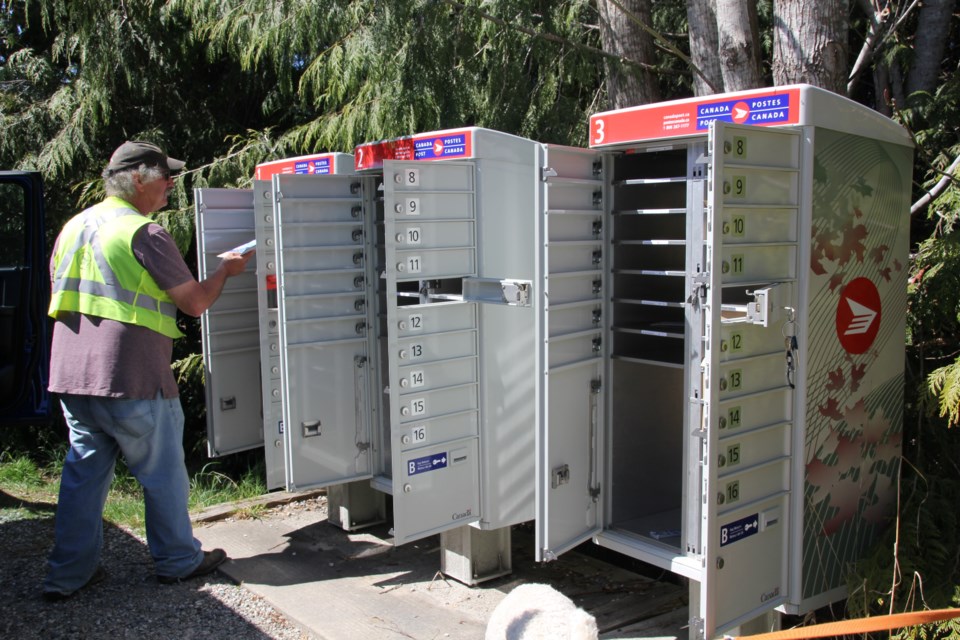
(354, 586)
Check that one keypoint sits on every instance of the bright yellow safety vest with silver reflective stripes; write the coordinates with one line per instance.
(96, 273)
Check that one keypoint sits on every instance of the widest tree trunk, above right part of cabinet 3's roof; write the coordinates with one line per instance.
(810, 43)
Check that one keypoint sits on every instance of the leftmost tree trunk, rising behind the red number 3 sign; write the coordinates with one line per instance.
(621, 35)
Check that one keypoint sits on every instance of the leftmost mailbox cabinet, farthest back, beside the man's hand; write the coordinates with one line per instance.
(240, 334)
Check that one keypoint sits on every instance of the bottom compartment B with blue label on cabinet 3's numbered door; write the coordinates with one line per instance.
(745, 534)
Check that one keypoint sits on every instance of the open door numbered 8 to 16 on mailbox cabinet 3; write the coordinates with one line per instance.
(744, 421)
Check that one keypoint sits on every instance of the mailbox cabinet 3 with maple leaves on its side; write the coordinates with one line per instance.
(747, 429)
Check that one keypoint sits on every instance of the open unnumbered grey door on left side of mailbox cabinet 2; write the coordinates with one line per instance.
(324, 327)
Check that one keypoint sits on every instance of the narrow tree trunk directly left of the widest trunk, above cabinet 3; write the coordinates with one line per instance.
(738, 49)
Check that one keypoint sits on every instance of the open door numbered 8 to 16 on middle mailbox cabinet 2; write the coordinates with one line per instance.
(434, 405)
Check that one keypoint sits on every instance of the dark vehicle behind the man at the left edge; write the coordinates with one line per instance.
(24, 296)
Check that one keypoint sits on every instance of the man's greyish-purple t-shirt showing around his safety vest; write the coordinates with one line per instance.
(99, 357)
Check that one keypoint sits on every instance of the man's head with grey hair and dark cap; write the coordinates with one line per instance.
(139, 172)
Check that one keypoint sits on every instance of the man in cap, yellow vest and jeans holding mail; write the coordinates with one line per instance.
(118, 280)
